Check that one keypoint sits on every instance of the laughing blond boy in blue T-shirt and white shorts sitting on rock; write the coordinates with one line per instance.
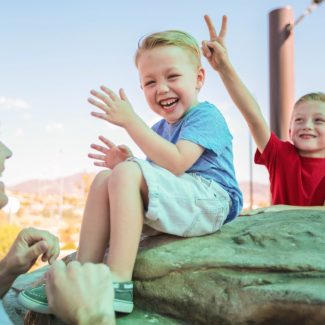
(186, 187)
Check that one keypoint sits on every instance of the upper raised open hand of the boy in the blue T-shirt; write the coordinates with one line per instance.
(117, 109)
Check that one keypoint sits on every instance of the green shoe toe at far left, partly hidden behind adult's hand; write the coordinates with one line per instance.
(35, 299)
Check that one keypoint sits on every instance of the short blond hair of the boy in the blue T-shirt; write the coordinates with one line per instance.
(170, 38)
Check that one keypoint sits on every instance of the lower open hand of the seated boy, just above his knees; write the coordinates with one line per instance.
(112, 154)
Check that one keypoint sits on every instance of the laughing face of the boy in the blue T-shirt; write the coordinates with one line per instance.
(171, 80)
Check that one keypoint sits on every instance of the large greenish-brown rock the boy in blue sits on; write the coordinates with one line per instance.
(263, 269)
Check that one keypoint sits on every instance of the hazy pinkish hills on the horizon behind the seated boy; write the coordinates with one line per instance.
(77, 184)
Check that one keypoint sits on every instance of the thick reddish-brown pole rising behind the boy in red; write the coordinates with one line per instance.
(281, 60)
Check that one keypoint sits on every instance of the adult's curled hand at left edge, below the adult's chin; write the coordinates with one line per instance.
(28, 246)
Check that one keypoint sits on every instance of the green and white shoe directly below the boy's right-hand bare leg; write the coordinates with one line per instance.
(123, 301)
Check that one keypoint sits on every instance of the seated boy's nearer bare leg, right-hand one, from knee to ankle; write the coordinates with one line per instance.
(128, 194)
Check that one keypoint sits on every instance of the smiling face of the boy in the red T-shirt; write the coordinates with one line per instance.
(307, 130)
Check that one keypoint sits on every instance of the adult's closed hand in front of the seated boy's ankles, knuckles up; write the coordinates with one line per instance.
(80, 294)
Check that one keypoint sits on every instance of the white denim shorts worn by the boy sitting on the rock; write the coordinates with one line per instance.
(186, 205)
